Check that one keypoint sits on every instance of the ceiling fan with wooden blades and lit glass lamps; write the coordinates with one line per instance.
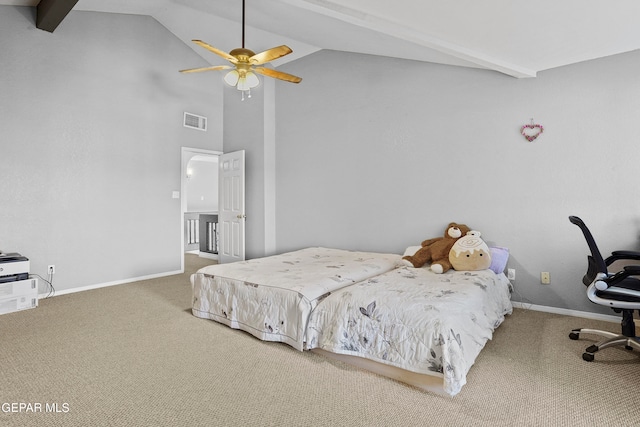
(246, 64)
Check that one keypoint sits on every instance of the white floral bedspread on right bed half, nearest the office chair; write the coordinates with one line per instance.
(414, 319)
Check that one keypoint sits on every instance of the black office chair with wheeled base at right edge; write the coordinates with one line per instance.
(620, 291)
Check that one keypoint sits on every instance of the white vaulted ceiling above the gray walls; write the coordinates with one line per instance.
(515, 37)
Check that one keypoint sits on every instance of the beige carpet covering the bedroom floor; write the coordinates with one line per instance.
(133, 355)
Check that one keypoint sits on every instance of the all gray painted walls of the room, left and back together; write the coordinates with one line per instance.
(366, 153)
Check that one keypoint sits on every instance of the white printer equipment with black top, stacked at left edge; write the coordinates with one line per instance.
(17, 290)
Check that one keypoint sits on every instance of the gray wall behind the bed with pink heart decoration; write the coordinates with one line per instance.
(379, 154)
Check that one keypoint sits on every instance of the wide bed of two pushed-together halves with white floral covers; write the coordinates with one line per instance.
(362, 308)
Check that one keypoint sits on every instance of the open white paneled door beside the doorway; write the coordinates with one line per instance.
(231, 215)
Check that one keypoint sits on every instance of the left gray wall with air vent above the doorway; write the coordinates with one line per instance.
(90, 137)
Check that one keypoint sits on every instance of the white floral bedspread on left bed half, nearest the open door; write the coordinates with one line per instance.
(272, 297)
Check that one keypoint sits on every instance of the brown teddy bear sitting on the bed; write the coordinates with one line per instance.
(436, 250)
